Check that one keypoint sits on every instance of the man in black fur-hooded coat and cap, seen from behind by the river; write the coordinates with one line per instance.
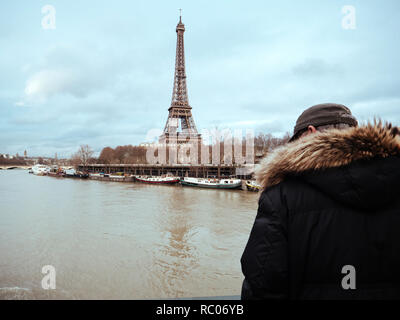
(328, 221)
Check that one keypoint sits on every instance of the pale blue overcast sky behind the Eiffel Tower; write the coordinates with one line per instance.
(104, 75)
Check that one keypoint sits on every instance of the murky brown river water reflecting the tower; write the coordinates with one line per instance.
(112, 240)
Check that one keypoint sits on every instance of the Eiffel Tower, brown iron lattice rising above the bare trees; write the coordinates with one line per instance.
(180, 127)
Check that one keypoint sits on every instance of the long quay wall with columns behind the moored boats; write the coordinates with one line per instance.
(179, 170)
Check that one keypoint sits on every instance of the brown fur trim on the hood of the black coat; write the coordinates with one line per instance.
(331, 148)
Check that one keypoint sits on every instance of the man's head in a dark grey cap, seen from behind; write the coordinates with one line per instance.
(322, 117)
